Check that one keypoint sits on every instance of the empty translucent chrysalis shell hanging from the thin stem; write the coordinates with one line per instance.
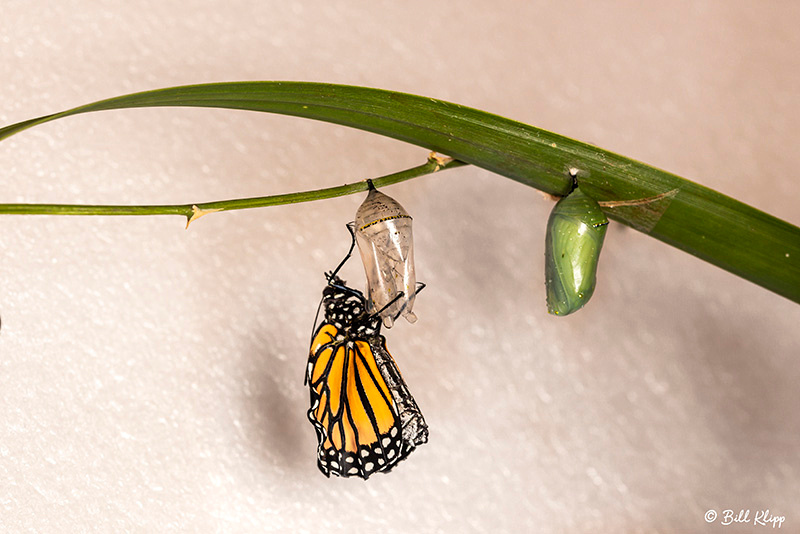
(383, 235)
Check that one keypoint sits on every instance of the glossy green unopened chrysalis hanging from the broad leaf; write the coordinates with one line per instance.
(575, 233)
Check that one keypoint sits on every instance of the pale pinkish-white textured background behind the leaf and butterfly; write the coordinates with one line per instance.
(151, 377)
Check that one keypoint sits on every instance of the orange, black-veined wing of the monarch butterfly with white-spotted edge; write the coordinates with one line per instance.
(352, 408)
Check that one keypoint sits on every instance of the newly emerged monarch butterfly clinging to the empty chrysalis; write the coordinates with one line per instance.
(365, 419)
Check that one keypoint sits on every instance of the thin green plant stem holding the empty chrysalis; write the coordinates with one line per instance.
(193, 211)
